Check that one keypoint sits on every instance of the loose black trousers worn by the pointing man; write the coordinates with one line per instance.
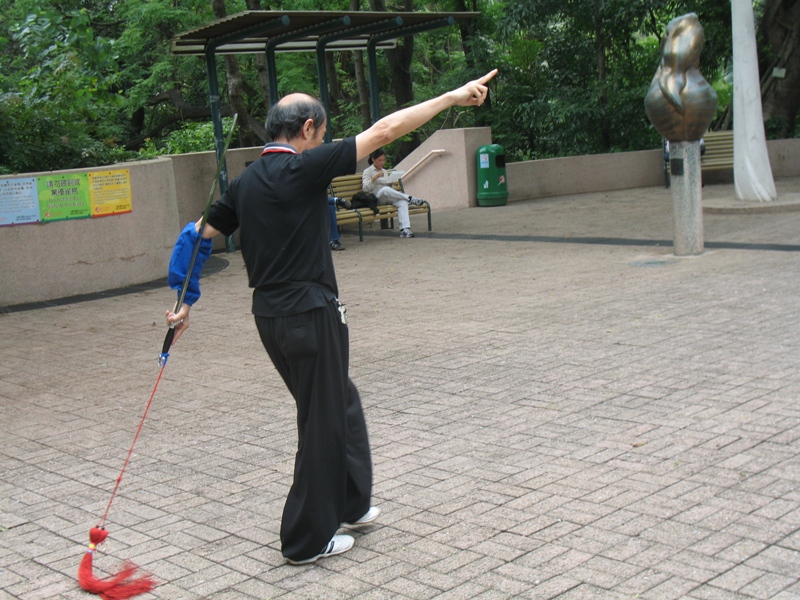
(333, 468)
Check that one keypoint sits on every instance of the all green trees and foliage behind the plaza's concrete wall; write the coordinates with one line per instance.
(81, 79)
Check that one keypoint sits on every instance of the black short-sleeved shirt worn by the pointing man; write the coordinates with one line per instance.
(280, 205)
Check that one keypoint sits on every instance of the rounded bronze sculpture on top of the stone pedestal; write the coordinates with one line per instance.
(680, 103)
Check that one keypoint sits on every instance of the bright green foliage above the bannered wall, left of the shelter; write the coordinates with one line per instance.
(77, 73)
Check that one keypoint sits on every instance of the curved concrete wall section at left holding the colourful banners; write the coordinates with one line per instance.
(46, 261)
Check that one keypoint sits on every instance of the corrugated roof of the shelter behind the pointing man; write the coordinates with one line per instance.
(250, 31)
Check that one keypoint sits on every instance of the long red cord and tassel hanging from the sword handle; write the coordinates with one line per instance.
(122, 585)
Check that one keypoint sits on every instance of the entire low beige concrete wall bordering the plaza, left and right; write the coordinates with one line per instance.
(48, 261)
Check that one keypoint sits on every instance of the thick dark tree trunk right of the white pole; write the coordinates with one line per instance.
(780, 28)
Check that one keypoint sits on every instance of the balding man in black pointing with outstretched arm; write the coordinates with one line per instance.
(280, 206)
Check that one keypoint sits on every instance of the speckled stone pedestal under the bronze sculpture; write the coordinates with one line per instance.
(687, 197)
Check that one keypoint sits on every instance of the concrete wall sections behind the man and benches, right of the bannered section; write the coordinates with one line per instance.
(450, 181)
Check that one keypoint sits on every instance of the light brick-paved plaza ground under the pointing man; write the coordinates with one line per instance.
(558, 408)
